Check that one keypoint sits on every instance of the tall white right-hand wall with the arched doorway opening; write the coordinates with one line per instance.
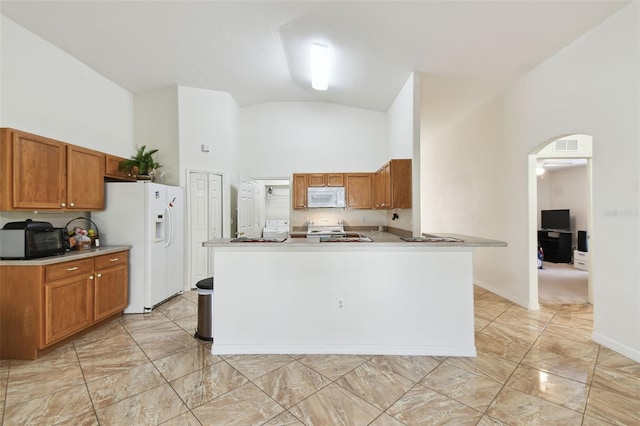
(591, 87)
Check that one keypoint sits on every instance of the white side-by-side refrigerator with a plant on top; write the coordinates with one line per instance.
(149, 217)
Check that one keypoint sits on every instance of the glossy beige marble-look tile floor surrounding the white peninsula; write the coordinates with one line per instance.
(532, 368)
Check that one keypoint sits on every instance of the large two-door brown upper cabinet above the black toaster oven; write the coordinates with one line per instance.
(38, 173)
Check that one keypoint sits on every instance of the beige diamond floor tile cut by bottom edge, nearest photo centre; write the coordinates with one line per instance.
(333, 405)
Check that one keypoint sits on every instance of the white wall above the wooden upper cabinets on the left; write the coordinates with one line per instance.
(45, 91)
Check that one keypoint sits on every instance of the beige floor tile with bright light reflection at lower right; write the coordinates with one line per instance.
(556, 389)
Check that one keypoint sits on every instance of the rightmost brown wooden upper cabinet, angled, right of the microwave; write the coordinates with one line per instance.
(392, 185)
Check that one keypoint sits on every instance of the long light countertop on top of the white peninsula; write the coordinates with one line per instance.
(380, 239)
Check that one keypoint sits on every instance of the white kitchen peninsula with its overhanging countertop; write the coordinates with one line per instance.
(388, 296)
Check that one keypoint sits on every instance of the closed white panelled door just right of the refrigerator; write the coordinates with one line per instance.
(205, 223)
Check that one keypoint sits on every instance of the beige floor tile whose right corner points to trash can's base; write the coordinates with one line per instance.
(163, 340)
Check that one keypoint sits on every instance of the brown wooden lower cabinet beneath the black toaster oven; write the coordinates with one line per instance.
(41, 306)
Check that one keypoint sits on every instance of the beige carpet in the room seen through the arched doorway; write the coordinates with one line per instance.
(561, 283)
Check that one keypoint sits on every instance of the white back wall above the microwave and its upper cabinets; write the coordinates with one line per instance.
(278, 139)
